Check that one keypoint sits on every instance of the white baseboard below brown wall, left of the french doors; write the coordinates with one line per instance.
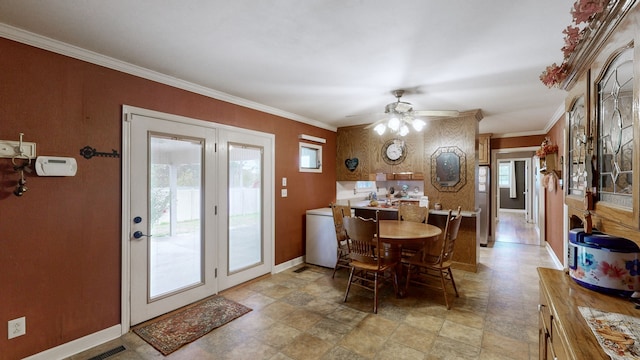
(79, 345)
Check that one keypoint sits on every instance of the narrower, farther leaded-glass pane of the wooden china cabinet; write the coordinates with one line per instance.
(577, 149)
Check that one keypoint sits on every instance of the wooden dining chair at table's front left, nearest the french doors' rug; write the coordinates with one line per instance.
(368, 260)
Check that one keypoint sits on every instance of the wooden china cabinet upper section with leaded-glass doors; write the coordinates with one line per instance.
(602, 129)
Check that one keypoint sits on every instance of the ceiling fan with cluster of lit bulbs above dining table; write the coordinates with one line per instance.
(401, 116)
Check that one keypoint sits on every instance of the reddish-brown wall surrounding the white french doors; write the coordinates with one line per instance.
(60, 242)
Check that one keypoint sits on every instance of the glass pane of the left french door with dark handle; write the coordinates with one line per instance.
(175, 193)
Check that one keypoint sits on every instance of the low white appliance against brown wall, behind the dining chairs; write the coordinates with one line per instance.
(322, 245)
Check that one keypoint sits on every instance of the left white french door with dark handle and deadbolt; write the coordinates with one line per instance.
(172, 246)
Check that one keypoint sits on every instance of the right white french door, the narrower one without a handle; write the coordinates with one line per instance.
(247, 250)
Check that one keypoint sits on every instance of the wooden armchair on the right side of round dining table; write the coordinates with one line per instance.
(424, 264)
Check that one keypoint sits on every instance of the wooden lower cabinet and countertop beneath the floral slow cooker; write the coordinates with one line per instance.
(563, 332)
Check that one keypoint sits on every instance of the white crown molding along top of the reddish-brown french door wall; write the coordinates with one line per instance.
(59, 47)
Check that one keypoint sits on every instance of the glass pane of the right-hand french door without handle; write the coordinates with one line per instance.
(245, 204)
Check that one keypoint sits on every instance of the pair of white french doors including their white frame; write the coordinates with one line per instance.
(197, 210)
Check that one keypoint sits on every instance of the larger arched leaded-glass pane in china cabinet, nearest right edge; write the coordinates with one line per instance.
(615, 131)
